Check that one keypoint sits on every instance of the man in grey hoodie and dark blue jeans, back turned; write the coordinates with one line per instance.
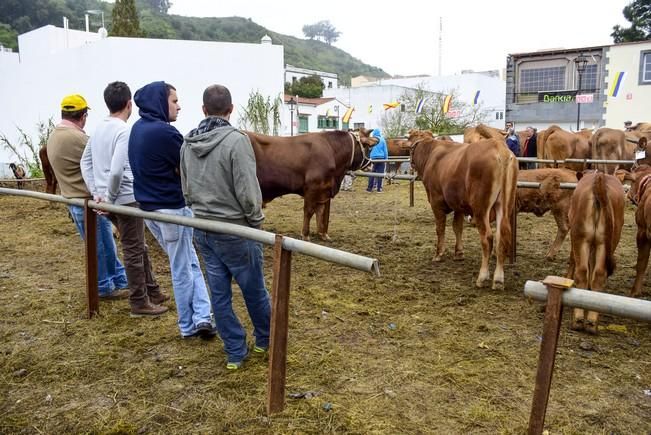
(218, 176)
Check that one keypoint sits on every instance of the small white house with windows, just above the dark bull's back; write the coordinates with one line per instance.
(310, 115)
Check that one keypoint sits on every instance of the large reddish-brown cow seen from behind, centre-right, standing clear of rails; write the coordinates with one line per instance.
(469, 179)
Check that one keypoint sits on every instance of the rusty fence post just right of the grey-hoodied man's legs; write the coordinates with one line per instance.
(279, 327)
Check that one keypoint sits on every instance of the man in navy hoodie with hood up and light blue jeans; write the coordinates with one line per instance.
(154, 156)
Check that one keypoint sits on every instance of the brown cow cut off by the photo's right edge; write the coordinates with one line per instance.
(639, 195)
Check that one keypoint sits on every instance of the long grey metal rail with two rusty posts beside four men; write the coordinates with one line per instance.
(283, 249)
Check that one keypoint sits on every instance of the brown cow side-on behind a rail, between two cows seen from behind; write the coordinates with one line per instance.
(549, 197)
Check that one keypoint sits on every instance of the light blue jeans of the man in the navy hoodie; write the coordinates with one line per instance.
(190, 292)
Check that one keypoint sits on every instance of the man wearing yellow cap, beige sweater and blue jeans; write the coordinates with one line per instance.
(65, 147)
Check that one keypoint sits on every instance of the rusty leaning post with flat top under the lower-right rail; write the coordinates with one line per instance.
(551, 327)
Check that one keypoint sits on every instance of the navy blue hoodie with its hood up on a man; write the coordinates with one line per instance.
(155, 151)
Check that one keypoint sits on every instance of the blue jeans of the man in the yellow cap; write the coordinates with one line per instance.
(110, 272)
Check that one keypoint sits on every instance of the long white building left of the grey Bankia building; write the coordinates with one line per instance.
(369, 97)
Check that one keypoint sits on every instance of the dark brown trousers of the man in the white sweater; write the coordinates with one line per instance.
(140, 276)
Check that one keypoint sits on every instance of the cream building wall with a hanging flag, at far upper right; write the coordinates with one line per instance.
(633, 101)
